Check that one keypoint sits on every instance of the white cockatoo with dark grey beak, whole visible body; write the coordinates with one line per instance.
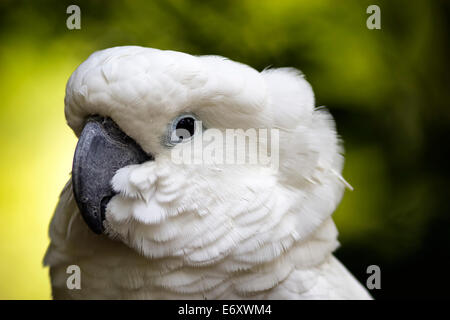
(141, 226)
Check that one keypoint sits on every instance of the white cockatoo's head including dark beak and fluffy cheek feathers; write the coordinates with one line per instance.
(126, 105)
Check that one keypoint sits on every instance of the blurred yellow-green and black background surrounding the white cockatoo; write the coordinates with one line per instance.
(387, 89)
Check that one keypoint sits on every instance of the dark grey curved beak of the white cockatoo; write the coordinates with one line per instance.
(102, 149)
